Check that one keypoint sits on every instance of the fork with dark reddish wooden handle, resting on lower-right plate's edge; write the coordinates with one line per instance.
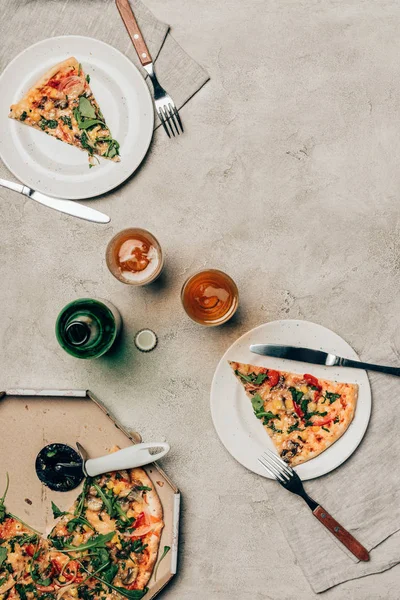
(284, 474)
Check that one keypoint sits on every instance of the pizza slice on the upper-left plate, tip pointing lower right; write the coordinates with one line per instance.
(62, 105)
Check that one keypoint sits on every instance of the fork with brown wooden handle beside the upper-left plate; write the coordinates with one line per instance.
(165, 106)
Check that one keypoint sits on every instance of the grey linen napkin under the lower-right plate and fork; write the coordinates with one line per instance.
(363, 495)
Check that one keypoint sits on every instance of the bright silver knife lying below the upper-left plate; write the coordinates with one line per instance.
(65, 206)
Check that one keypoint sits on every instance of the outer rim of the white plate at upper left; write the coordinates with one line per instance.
(124, 175)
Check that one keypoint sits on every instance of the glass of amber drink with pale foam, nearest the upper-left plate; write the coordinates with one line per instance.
(134, 256)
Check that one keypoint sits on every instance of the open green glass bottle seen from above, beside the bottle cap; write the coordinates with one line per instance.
(87, 328)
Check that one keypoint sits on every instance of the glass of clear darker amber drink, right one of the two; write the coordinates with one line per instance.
(210, 297)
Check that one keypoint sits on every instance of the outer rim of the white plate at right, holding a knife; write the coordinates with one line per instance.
(223, 359)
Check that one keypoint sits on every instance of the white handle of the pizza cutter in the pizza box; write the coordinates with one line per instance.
(127, 458)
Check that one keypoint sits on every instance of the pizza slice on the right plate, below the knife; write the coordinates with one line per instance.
(303, 415)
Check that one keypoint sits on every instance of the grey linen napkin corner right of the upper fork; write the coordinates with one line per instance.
(179, 74)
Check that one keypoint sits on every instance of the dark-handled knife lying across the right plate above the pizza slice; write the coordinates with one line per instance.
(318, 357)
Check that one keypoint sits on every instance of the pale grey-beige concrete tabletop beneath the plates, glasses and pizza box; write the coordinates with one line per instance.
(288, 178)
